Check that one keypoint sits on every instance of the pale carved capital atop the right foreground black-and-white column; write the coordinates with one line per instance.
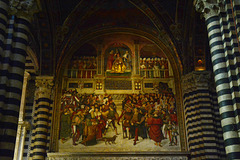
(208, 8)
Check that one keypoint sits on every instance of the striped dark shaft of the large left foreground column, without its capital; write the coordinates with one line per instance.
(11, 81)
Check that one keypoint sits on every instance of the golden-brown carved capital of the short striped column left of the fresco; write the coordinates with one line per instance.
(44, 85)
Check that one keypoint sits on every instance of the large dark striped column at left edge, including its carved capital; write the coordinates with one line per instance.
(15, 20)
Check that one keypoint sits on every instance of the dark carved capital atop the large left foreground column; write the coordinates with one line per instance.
(24, 8)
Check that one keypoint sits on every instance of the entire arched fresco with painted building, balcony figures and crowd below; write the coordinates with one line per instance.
(118, 99)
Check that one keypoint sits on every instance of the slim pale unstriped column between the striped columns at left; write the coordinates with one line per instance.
(22, 125)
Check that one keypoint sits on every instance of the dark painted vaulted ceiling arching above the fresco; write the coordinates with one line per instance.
(61, 23)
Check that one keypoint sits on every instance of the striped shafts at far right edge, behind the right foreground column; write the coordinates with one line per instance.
(228, 21)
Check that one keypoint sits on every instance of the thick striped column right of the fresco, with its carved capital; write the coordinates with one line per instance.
(204, 131)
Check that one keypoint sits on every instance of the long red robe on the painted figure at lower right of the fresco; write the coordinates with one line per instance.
(155, 131)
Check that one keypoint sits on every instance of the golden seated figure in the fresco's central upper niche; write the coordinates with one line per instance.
(118, 65)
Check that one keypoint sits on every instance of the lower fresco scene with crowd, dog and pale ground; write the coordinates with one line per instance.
(111, 123)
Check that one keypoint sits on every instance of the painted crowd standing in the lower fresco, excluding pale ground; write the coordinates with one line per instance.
(87, 118)
